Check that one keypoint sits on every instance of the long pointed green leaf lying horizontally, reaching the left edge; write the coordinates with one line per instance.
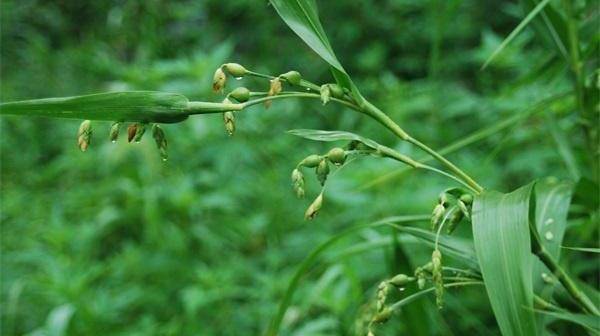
(137, 106)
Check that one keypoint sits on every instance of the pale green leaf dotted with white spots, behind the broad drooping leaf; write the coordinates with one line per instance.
(551, 208)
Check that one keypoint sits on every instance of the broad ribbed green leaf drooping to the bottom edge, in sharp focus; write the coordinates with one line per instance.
(503, 247)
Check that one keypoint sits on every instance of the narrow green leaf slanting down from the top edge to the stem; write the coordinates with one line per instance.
(303, 18)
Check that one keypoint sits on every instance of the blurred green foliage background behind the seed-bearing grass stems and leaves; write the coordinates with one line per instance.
(113, 241)
